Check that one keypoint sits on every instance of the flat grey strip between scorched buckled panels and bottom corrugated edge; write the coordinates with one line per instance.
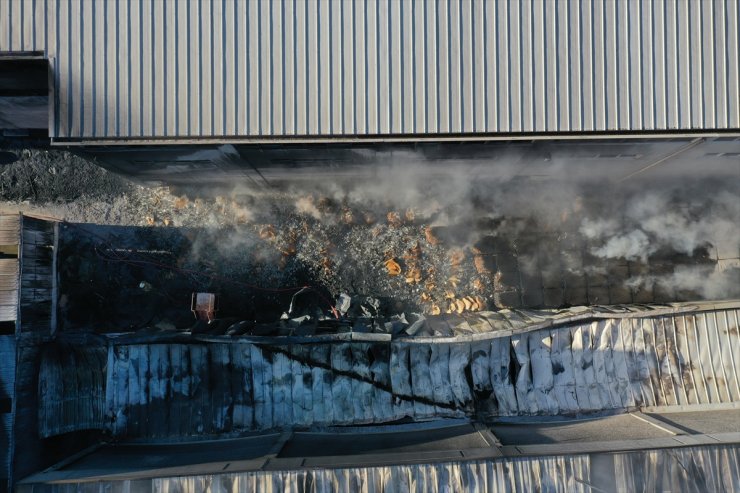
(437, 442)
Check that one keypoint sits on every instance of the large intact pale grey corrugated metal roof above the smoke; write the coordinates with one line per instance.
(197, 68)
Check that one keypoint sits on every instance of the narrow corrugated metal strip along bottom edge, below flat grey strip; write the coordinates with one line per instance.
(691, 468)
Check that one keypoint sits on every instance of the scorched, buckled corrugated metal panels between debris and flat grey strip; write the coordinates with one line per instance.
(627, 363)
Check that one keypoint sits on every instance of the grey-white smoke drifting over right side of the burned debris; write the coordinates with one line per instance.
(680, 232)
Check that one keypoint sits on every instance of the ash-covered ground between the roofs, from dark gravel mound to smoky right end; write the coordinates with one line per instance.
(407, 237)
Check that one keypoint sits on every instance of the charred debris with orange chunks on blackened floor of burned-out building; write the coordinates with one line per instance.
(322, 266)
